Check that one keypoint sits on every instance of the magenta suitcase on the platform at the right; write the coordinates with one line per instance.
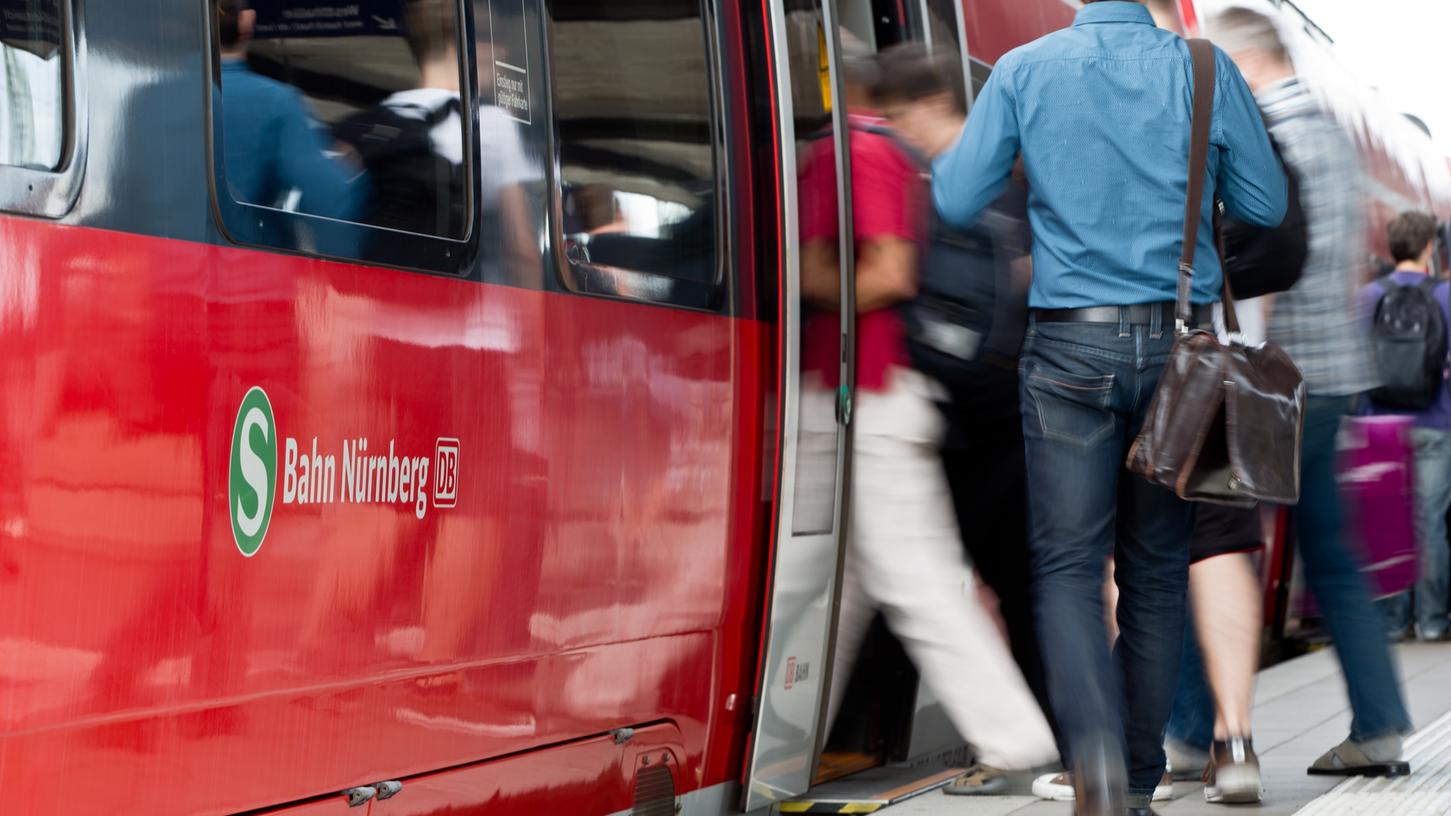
(1376, 480)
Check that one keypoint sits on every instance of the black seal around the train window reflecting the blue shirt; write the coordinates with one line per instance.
(332, 239)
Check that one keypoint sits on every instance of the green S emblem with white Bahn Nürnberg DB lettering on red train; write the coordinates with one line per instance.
(382, 476)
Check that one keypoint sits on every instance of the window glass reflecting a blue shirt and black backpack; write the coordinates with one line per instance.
(350, 111)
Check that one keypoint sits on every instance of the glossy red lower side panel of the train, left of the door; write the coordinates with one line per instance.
(575, 545)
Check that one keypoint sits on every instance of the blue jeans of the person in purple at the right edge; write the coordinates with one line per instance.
(1433, 551)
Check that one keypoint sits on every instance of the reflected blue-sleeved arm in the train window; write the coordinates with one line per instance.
(303, 163)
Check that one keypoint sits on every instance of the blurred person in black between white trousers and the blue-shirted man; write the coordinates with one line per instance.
(966, 332)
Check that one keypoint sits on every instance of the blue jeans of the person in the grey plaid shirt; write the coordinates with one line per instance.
(1340, 589)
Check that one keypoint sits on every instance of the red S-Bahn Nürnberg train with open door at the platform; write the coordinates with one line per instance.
(484, 505)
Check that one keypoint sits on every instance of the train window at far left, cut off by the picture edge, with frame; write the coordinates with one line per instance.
(41, 108)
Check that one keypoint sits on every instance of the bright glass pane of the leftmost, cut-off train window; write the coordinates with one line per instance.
(33, 114)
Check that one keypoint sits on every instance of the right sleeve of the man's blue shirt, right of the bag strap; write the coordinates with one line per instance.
(1251, 181)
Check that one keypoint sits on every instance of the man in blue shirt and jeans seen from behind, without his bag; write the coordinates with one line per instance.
(1101, 114)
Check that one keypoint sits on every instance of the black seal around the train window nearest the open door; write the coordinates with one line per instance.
(600, 281)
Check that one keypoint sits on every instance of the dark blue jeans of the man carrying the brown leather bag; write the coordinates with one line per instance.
(1086, 390)
